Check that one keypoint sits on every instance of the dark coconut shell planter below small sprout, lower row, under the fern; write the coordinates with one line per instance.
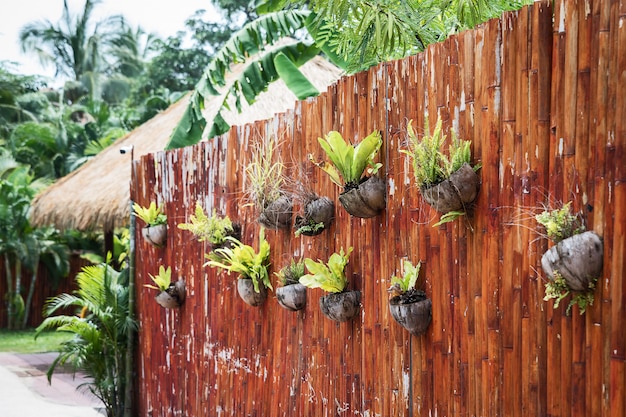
(412, 310)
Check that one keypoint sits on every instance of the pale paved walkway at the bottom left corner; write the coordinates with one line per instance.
(25, 392)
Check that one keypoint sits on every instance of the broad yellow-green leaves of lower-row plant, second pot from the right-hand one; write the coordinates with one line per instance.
(329, 276)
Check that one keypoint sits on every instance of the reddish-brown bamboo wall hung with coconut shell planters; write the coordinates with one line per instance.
(542, 105)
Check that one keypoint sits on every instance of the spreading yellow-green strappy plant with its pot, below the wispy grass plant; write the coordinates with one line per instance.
(251, 266)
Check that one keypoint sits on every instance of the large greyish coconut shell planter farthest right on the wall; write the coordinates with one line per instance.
(578, 259)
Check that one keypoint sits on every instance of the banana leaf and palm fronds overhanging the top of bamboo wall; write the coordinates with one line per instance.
(353, 35)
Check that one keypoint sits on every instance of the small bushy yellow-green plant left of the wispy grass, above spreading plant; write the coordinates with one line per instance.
(212, 229)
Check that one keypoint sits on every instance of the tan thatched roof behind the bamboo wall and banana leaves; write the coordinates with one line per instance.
(97, 195)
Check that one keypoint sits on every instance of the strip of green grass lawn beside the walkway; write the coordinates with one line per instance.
(23, 341)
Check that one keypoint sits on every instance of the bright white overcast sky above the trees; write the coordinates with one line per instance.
(165, 17)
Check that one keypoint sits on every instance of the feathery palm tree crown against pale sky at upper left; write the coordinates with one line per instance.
(74, 46)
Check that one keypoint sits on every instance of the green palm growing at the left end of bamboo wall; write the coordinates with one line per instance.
(101, 332)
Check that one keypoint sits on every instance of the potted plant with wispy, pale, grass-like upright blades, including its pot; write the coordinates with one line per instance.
(265, 188)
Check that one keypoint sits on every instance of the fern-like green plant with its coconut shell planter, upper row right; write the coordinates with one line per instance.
(448, 183)
